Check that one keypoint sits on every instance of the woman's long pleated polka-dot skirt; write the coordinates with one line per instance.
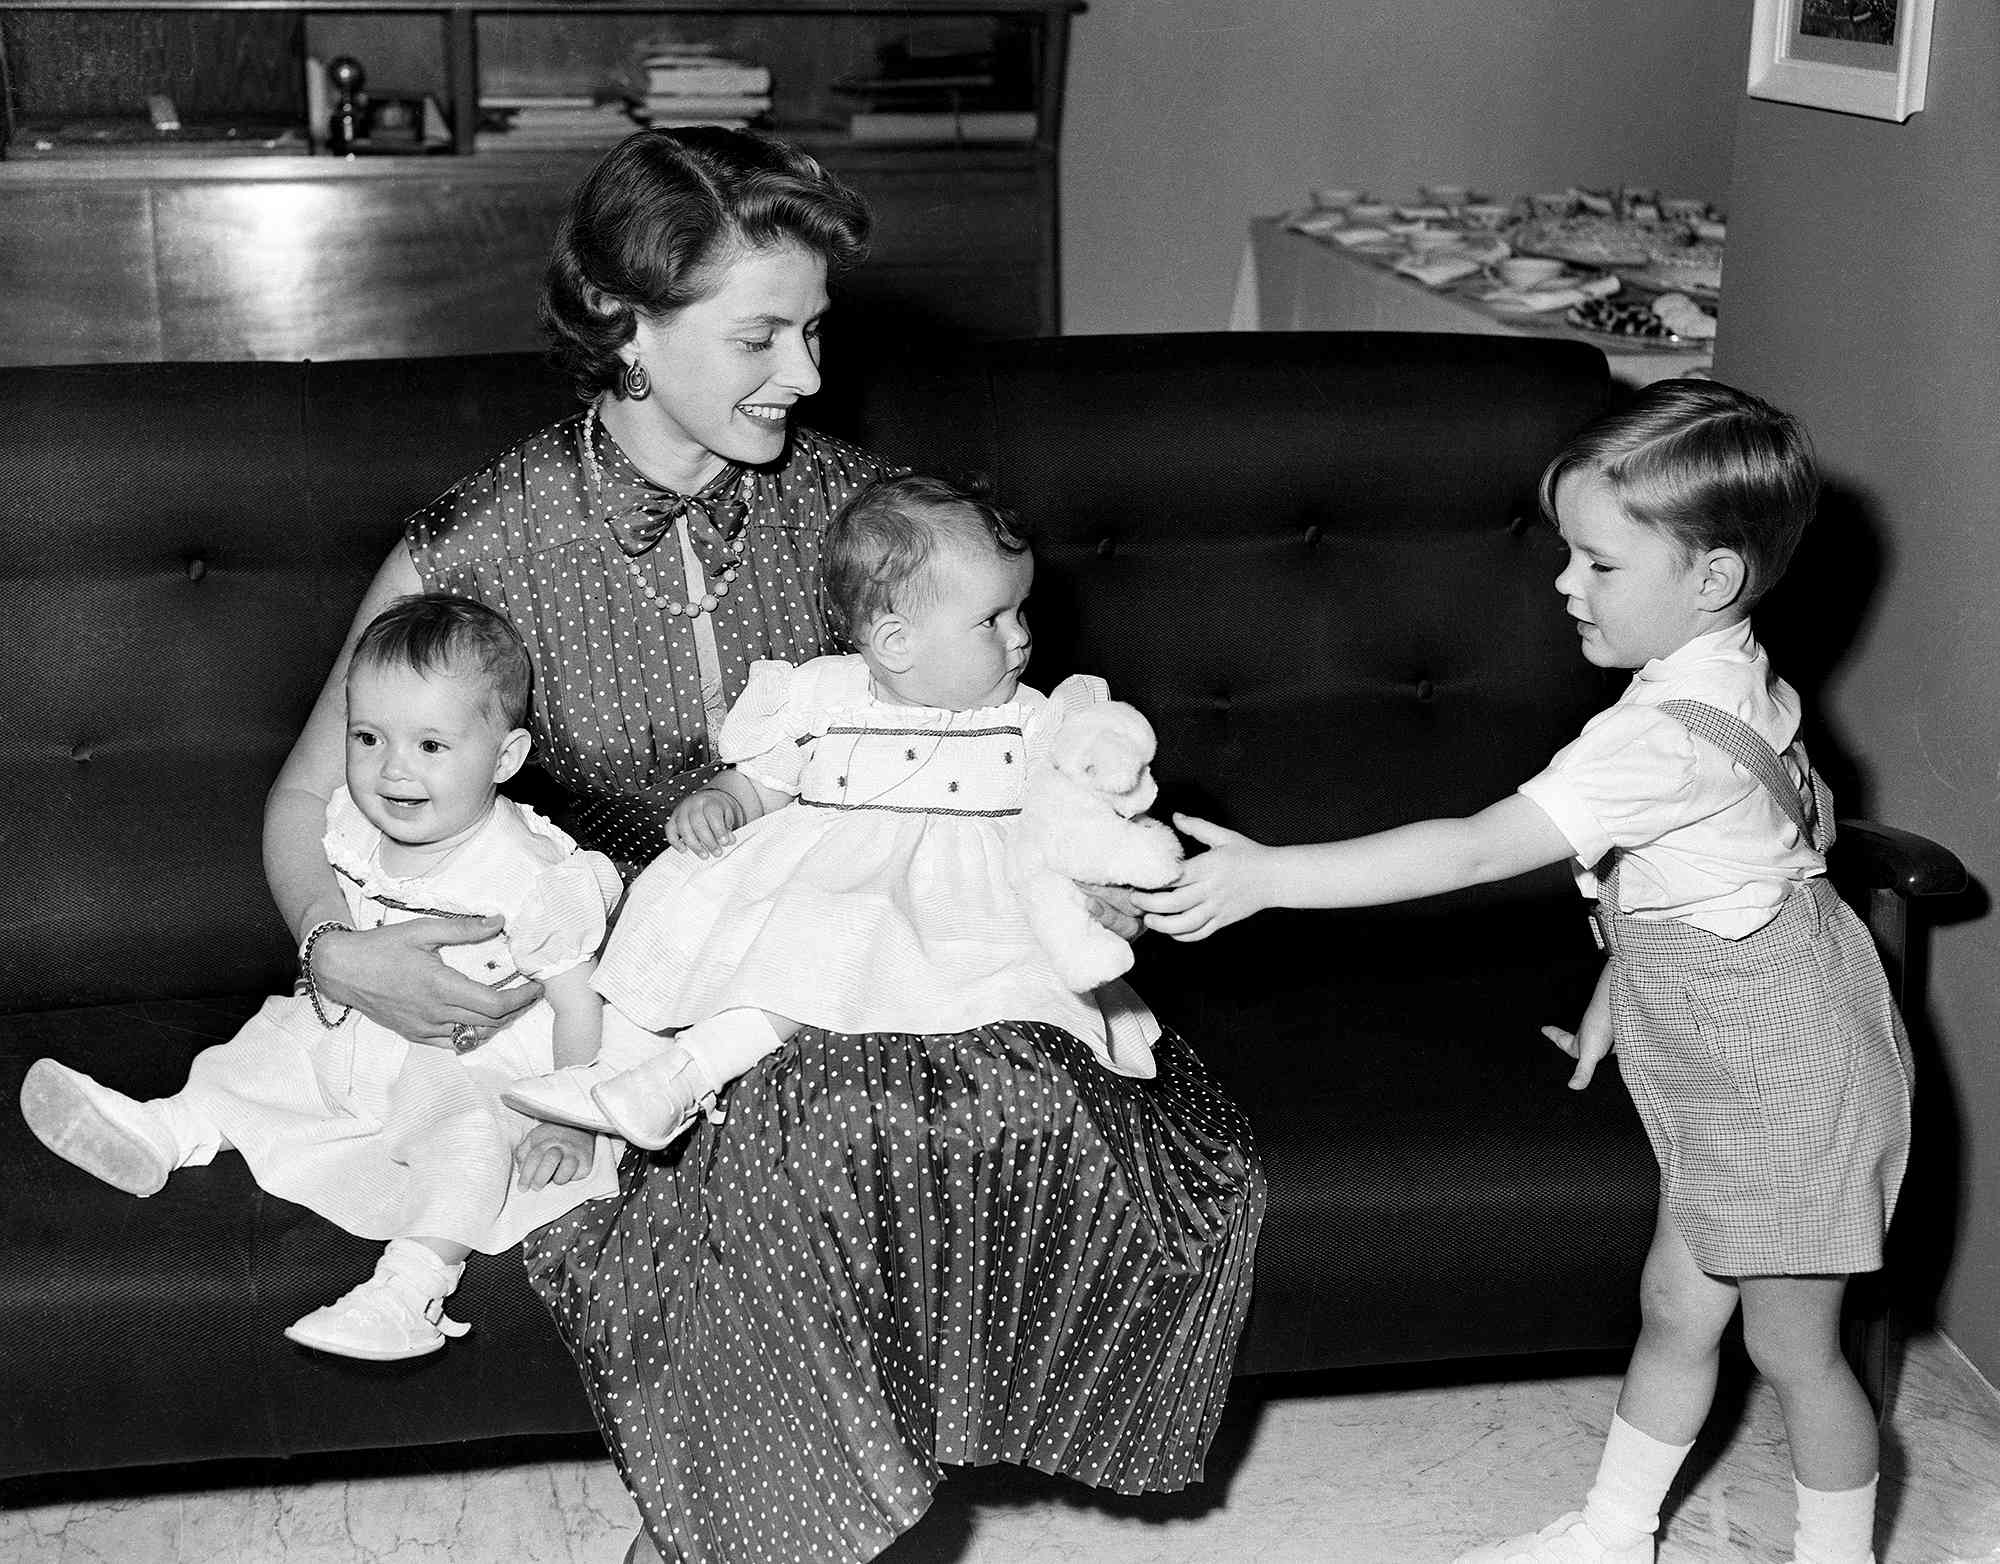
(907, 1253)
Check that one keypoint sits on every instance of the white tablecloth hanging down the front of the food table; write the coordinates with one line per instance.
(1295, 283)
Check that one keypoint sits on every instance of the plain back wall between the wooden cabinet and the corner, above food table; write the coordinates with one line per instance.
(1191, 117)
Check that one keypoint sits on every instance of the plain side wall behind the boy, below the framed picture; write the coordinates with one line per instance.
(1865, 293)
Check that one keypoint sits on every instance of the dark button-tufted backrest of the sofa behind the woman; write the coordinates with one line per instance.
(1311, 559)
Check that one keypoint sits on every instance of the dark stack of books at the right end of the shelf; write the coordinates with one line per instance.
(941, 87)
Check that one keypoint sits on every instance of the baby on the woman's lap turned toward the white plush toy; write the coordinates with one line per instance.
(849, 869)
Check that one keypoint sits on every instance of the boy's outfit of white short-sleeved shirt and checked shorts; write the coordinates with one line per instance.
(1763, 1053)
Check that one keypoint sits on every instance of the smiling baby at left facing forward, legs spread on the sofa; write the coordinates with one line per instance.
(377, 1135)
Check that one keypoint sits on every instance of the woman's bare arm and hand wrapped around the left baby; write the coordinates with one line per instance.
(391, 975)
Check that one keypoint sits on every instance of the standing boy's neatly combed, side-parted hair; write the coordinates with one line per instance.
(1709, 465)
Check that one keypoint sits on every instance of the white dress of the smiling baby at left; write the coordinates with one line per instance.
(387, 1139)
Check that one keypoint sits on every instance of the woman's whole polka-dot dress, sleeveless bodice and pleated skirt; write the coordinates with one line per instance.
(899, 1251)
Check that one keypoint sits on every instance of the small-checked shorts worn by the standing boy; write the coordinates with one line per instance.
(1773, 1075)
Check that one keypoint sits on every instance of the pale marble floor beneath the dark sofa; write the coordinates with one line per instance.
(1359, 1469)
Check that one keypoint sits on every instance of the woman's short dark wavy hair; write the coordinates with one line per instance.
(653, 227)
